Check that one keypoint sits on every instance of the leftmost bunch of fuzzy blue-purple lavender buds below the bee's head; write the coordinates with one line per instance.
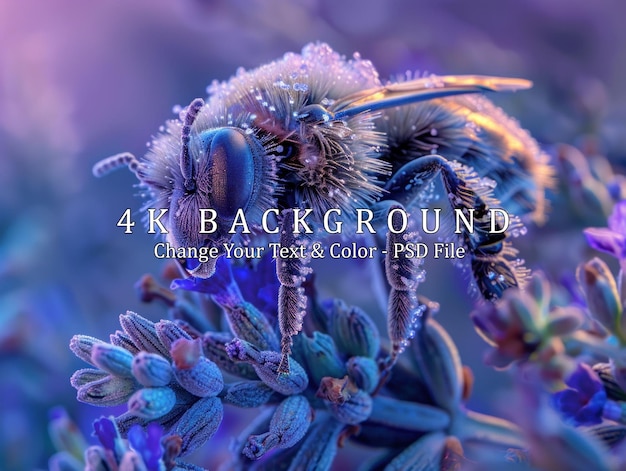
(160, 372)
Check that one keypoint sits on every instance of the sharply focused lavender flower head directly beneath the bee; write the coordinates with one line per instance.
(338, 387)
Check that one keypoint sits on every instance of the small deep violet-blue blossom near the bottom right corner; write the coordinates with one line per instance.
(583, 401)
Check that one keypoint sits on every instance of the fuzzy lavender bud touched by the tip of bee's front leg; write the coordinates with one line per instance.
(266, 364)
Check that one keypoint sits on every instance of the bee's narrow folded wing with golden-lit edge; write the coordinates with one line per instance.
(423, 89)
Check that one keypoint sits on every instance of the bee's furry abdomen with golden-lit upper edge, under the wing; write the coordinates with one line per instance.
(477, 134)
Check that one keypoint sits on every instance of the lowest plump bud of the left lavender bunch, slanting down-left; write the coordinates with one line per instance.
(198, 424)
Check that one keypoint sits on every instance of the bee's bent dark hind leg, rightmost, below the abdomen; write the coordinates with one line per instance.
(491, 264)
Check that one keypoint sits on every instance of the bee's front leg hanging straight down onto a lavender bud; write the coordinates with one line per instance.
(291, 272)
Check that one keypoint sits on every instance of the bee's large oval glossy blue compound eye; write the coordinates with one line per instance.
(232, 171)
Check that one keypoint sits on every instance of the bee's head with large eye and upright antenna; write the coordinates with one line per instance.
(220, 173)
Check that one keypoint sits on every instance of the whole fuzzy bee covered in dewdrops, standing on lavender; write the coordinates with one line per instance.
(318, 131)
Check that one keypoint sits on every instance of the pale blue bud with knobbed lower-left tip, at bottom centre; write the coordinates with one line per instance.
(289, 424)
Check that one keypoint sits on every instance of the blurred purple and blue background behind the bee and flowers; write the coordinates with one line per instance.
(80, 81)
